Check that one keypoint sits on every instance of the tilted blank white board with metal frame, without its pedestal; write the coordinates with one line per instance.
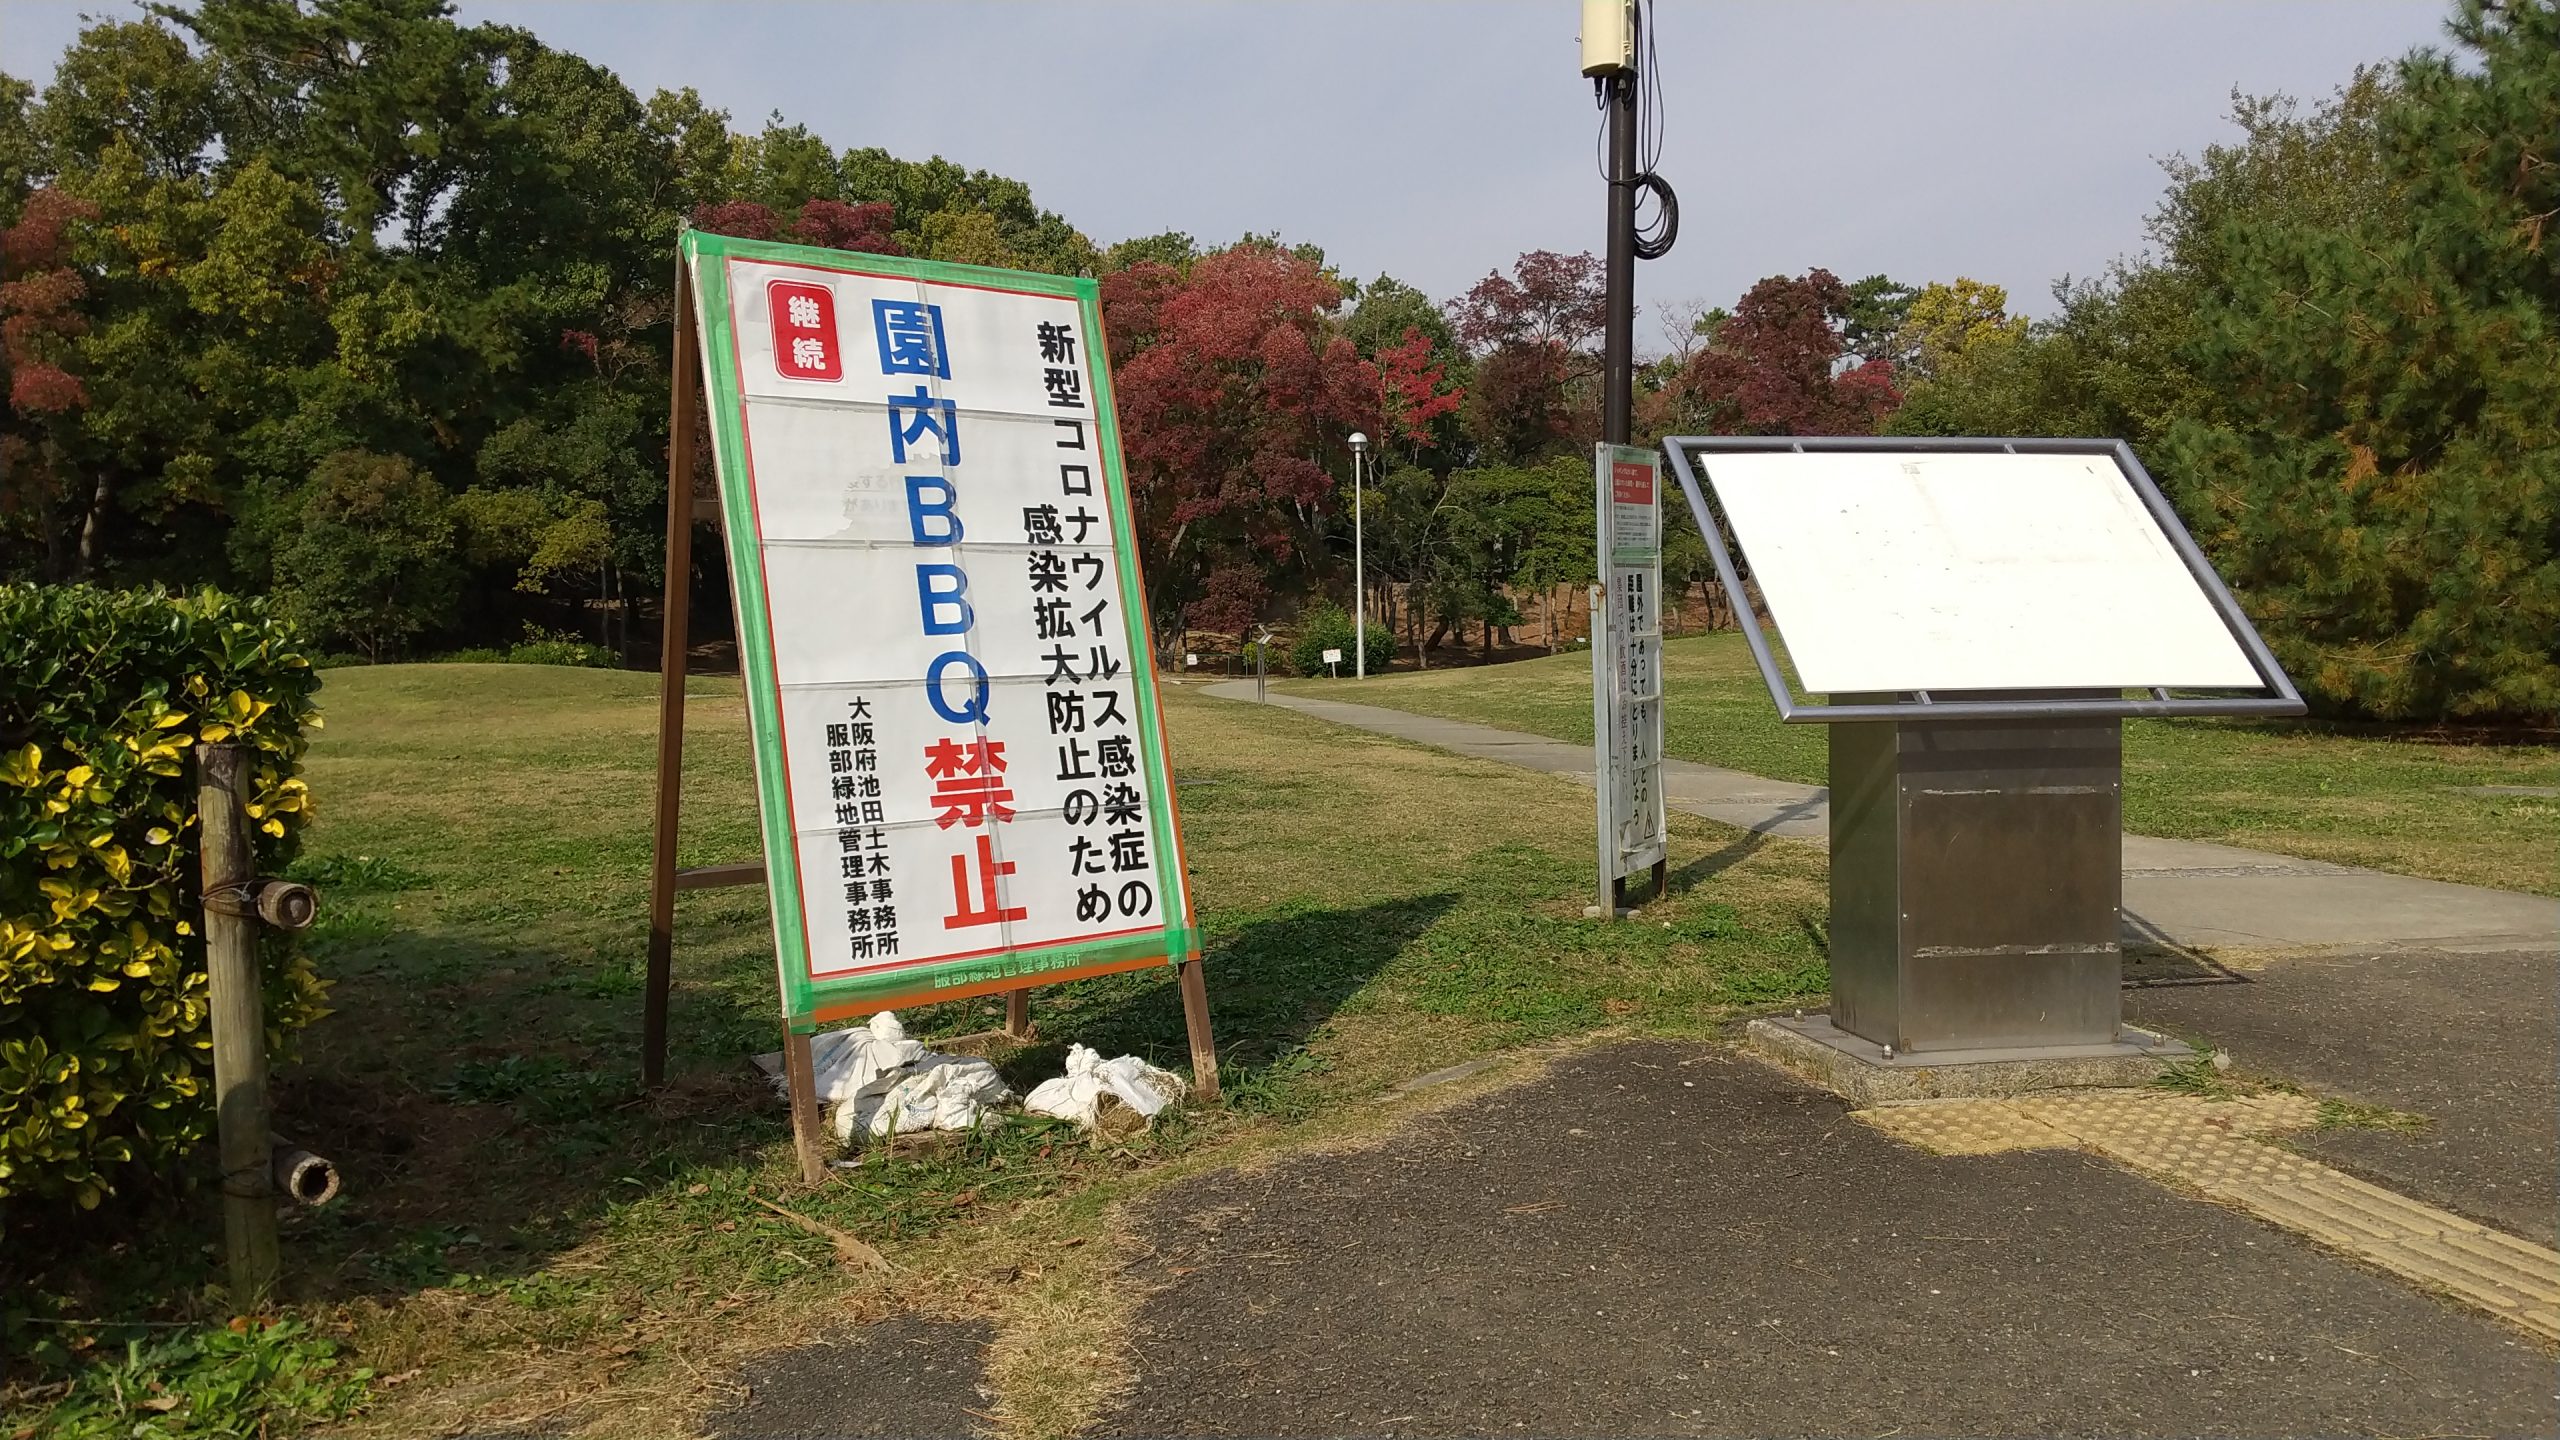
(2049, 570)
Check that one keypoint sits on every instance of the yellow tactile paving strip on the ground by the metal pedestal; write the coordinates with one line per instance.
(2218, 1149)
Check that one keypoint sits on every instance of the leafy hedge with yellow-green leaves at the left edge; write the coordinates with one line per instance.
(104, 698)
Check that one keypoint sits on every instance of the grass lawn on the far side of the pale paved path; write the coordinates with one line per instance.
(2397, 803)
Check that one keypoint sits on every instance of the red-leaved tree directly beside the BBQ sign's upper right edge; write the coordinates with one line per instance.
(1233, 396)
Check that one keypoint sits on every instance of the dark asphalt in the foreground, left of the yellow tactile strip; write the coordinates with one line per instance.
(1673, 1241)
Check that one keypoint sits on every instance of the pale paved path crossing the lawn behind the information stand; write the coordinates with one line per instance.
(2180, 893)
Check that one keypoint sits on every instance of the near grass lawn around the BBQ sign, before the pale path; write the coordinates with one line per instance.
(529, 1239)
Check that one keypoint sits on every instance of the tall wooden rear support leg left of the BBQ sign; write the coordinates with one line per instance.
(677, 637)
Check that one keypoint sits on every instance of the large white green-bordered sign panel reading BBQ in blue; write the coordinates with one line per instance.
(959, 757)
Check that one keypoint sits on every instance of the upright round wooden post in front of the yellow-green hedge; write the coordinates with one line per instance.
(239, 1024)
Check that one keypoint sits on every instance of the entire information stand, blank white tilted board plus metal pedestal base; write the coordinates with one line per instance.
(1978, 616)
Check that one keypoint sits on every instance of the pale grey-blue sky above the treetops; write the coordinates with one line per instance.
(2003, 140)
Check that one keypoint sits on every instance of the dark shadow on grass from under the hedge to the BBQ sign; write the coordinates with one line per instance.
(483, 1106)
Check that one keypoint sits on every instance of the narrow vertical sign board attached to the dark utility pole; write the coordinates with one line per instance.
(1627, 665)
